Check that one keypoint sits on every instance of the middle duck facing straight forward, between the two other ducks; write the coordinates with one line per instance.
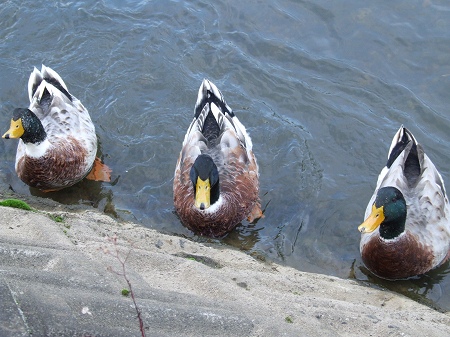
(216, 177)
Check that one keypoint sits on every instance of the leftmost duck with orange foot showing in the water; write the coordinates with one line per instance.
(57, 145)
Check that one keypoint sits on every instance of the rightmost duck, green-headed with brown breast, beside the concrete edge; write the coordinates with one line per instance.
(407, 227)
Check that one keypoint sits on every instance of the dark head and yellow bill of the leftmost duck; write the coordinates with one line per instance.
(26, 125)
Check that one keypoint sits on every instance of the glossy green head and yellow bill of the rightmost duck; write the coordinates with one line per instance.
(388, 213)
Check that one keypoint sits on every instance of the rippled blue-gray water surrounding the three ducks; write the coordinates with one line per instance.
(321, 86)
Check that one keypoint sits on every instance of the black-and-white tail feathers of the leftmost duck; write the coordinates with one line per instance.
(46, 82)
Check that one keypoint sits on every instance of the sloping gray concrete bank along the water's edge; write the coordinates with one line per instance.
(56, 280)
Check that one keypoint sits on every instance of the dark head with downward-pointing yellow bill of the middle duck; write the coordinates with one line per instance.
(205, 177)
